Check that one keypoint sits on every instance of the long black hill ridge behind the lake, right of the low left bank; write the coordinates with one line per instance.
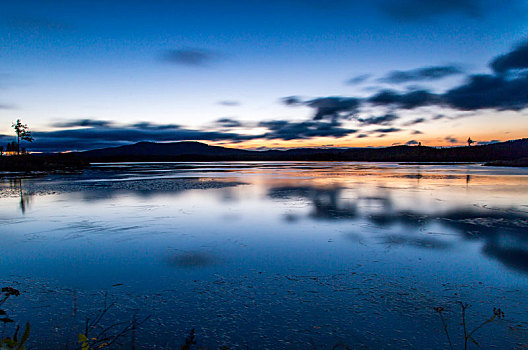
(196, 151)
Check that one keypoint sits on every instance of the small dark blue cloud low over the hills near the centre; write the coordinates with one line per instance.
(285, 130)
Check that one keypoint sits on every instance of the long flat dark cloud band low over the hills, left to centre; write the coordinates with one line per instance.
(88, 134)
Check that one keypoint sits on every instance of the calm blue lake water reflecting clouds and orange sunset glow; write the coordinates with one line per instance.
(270, 255)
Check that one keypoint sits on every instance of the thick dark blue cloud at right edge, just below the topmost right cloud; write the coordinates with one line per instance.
(489, 91)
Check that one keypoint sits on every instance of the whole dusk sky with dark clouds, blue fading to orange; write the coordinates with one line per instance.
(264, 74)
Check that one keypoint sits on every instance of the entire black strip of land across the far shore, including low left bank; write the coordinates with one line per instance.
(512, 153)
